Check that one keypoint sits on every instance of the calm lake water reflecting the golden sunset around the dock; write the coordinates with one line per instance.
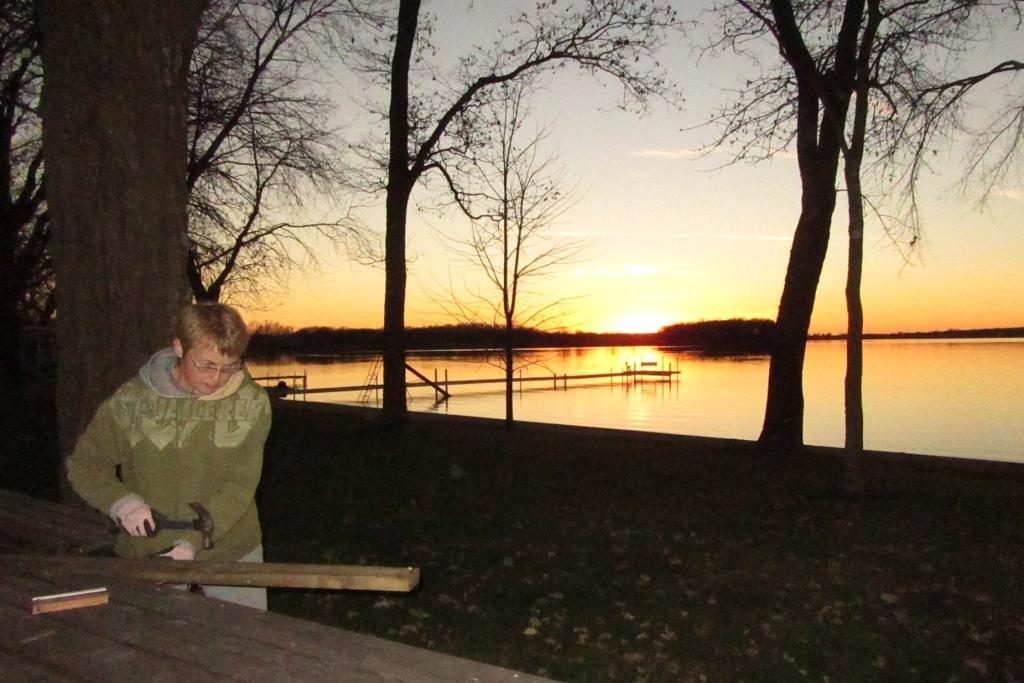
(945, 398)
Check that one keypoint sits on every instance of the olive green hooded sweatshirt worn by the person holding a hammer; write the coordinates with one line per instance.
(170, 449)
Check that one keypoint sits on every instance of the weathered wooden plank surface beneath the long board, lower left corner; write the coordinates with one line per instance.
(156, 633)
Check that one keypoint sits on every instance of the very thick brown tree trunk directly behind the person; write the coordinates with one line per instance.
(114, 131)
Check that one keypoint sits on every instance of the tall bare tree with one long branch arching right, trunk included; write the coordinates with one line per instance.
(428, 129)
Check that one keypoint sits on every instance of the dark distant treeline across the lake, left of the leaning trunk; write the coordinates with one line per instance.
(750, 336)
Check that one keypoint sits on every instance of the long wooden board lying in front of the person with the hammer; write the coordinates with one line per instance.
(271, 575)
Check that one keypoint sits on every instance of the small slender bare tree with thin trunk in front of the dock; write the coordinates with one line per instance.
(514, 197)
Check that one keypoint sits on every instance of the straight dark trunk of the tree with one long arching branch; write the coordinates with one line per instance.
(400, 187)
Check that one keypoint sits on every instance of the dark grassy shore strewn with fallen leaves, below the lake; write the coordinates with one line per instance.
(591, 556)
